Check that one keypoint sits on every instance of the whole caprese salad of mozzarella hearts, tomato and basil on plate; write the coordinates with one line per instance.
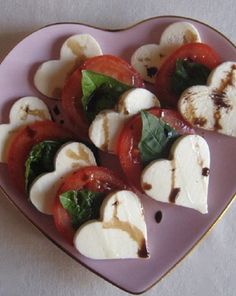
(151, 133)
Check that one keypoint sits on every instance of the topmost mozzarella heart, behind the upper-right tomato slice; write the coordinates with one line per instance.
(148, 58)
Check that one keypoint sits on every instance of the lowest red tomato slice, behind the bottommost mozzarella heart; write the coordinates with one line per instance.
(93, 178)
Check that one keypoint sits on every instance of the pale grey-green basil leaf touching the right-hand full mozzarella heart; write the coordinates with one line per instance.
(157, 138)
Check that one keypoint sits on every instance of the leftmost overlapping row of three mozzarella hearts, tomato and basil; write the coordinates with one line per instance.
(62, 179)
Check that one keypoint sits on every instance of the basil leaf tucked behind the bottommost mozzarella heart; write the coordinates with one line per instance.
(81, 205)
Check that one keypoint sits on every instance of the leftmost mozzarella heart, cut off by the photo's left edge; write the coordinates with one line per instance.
(26, 110)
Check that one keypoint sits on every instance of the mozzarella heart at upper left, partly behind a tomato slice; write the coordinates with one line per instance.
(51, 75)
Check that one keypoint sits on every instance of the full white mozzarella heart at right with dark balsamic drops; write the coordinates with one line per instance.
(183, 180)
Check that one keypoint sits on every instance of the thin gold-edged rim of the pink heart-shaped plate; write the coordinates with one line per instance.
(203, 236)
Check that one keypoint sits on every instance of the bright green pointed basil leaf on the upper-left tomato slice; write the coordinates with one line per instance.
(100, 92)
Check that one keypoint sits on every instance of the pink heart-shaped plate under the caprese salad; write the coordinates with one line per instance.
(180, 228)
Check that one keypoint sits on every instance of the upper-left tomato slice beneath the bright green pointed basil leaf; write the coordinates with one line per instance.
(72, 93)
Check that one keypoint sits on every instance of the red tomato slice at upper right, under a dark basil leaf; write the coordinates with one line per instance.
(197, 52)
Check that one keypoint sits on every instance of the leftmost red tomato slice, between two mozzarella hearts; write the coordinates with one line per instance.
(23, 141)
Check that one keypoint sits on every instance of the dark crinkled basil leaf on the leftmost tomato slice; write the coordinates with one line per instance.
(40, 160)
